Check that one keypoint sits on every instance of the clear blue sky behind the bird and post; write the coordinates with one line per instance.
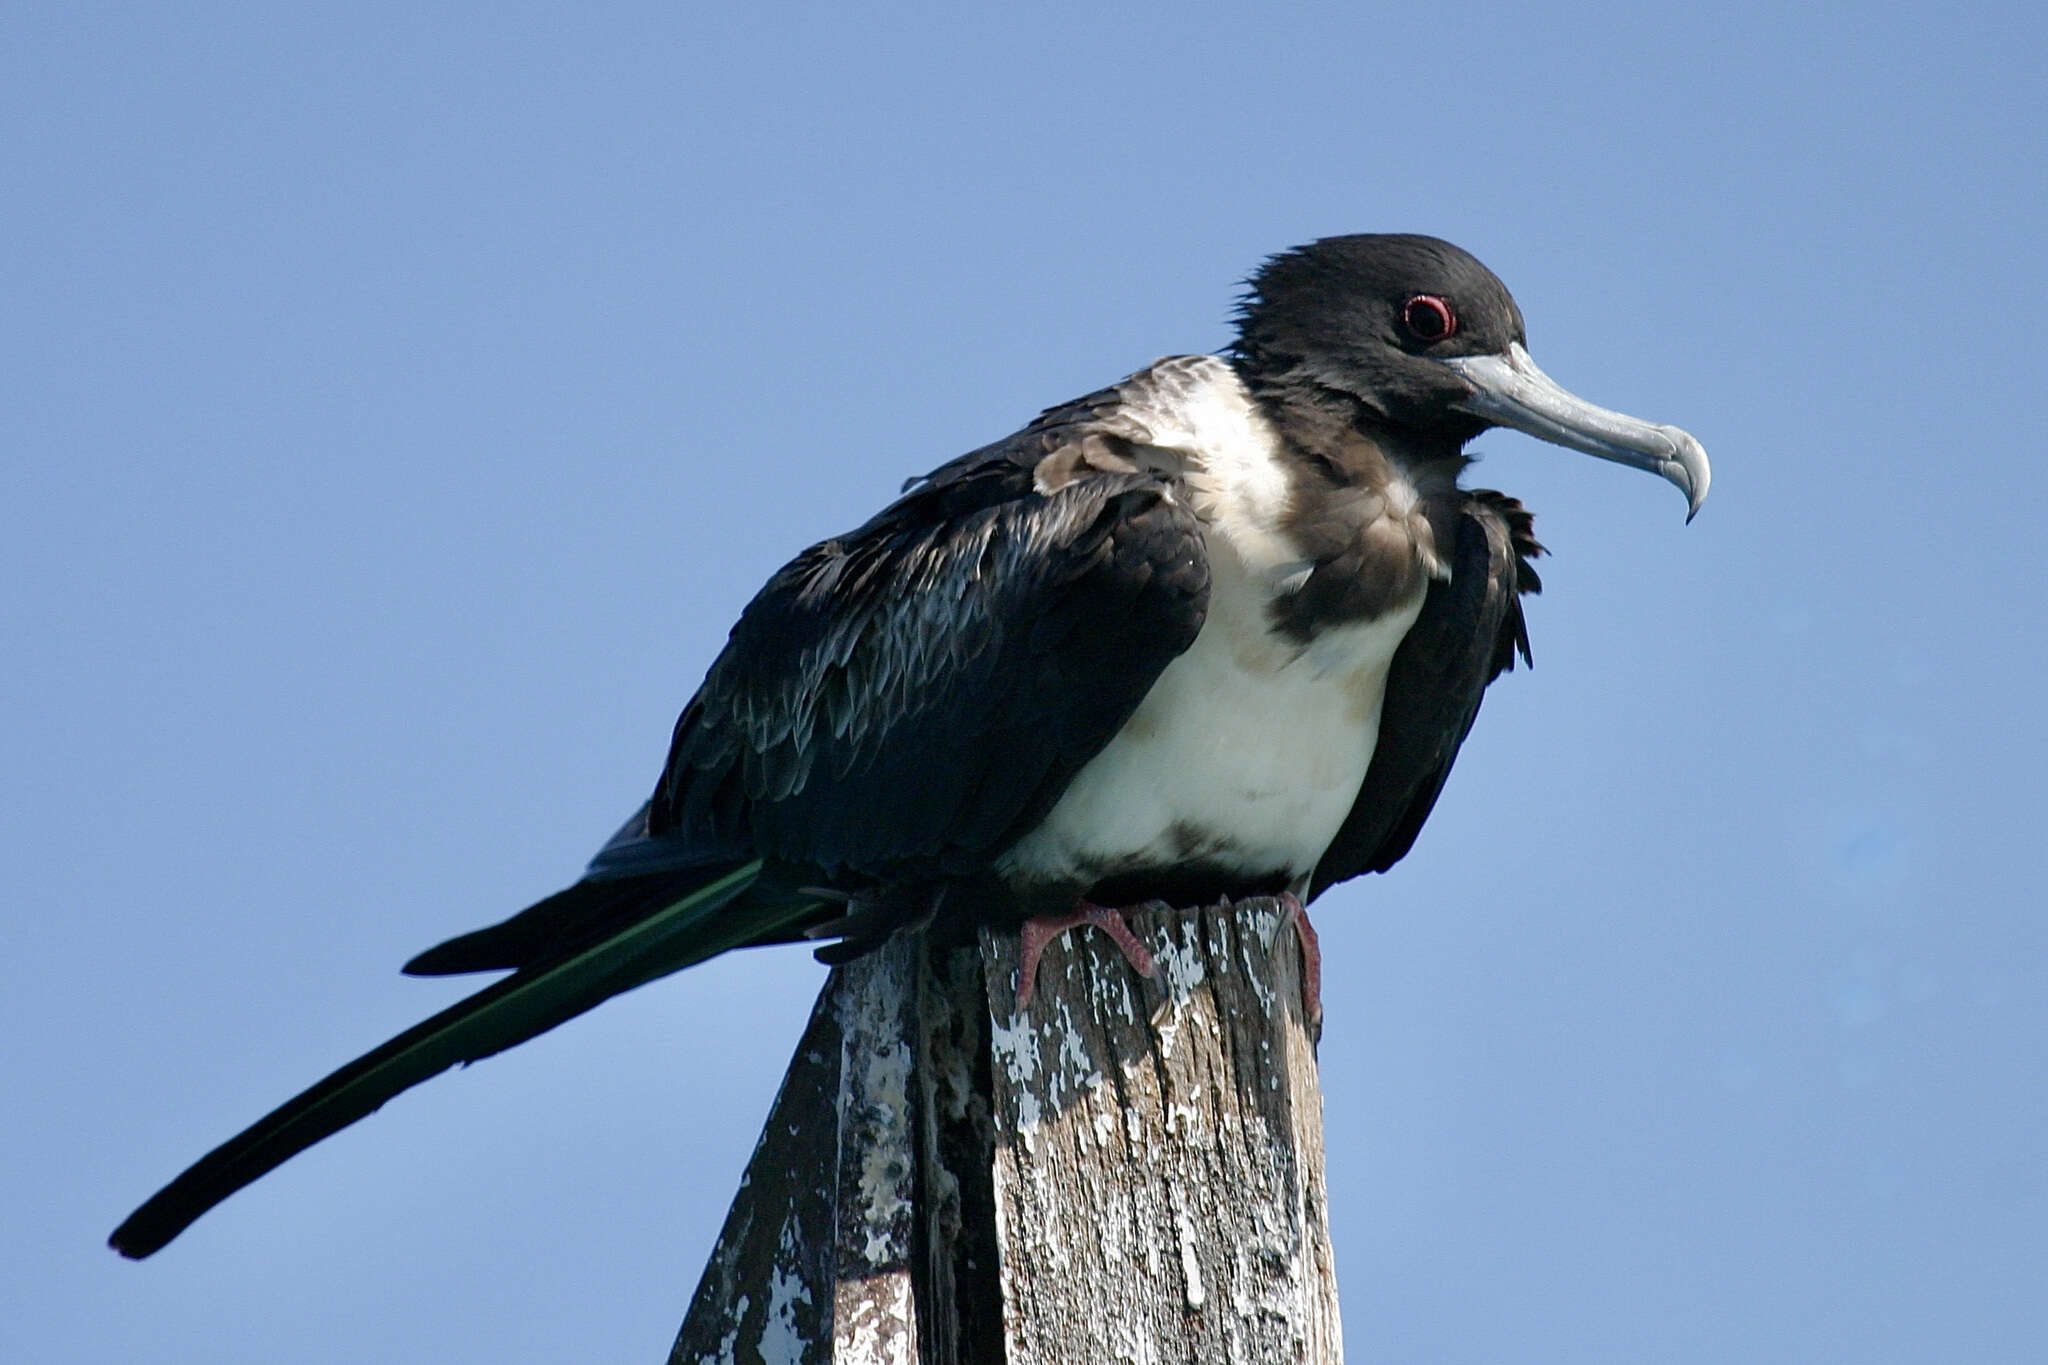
(398, 404)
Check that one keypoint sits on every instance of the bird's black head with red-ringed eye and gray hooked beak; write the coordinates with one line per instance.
(1428, 343)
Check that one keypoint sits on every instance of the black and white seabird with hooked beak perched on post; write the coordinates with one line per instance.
(1213, 631)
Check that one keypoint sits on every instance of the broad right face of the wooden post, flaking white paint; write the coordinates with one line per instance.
(1160, 1155)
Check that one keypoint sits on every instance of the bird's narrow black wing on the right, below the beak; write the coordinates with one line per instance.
(1467, 635)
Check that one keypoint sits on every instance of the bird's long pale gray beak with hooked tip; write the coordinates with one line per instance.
(1512, 392)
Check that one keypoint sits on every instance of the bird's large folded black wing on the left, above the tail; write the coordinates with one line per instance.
(904, 703)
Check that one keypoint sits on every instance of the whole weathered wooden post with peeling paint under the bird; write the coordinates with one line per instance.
(1125, 1172)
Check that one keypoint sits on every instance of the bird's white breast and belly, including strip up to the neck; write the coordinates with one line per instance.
(1250, 748)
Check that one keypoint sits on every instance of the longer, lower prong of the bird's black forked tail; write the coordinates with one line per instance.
(669, 936)
